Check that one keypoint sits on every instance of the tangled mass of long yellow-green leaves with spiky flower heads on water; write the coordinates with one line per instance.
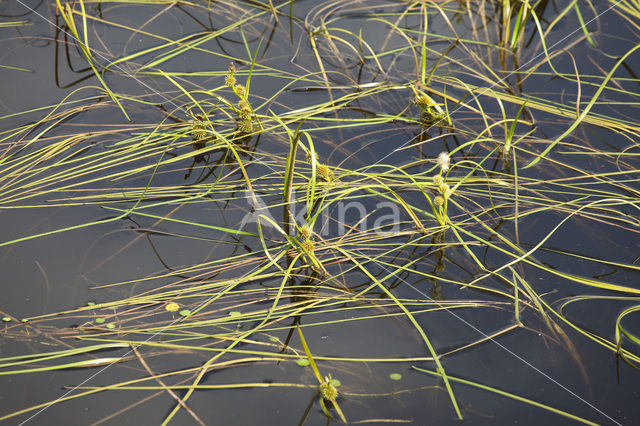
(489, 239)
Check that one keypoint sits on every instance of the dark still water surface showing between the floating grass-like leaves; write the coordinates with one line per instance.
(59, 272)
